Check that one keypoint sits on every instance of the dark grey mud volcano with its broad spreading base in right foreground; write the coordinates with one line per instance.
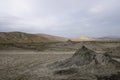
(86, 64)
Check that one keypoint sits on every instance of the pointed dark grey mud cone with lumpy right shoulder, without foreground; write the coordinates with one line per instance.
(85, 56)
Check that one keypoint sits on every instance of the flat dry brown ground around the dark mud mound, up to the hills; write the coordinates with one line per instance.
(18, 64)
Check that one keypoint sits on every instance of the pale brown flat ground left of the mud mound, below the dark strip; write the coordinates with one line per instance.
(29, 65)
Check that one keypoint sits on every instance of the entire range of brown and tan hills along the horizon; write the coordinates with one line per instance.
(21, 37)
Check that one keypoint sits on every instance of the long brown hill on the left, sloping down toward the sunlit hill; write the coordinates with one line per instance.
(20, 37)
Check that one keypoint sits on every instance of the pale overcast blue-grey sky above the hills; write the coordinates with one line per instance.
(68, 18)
